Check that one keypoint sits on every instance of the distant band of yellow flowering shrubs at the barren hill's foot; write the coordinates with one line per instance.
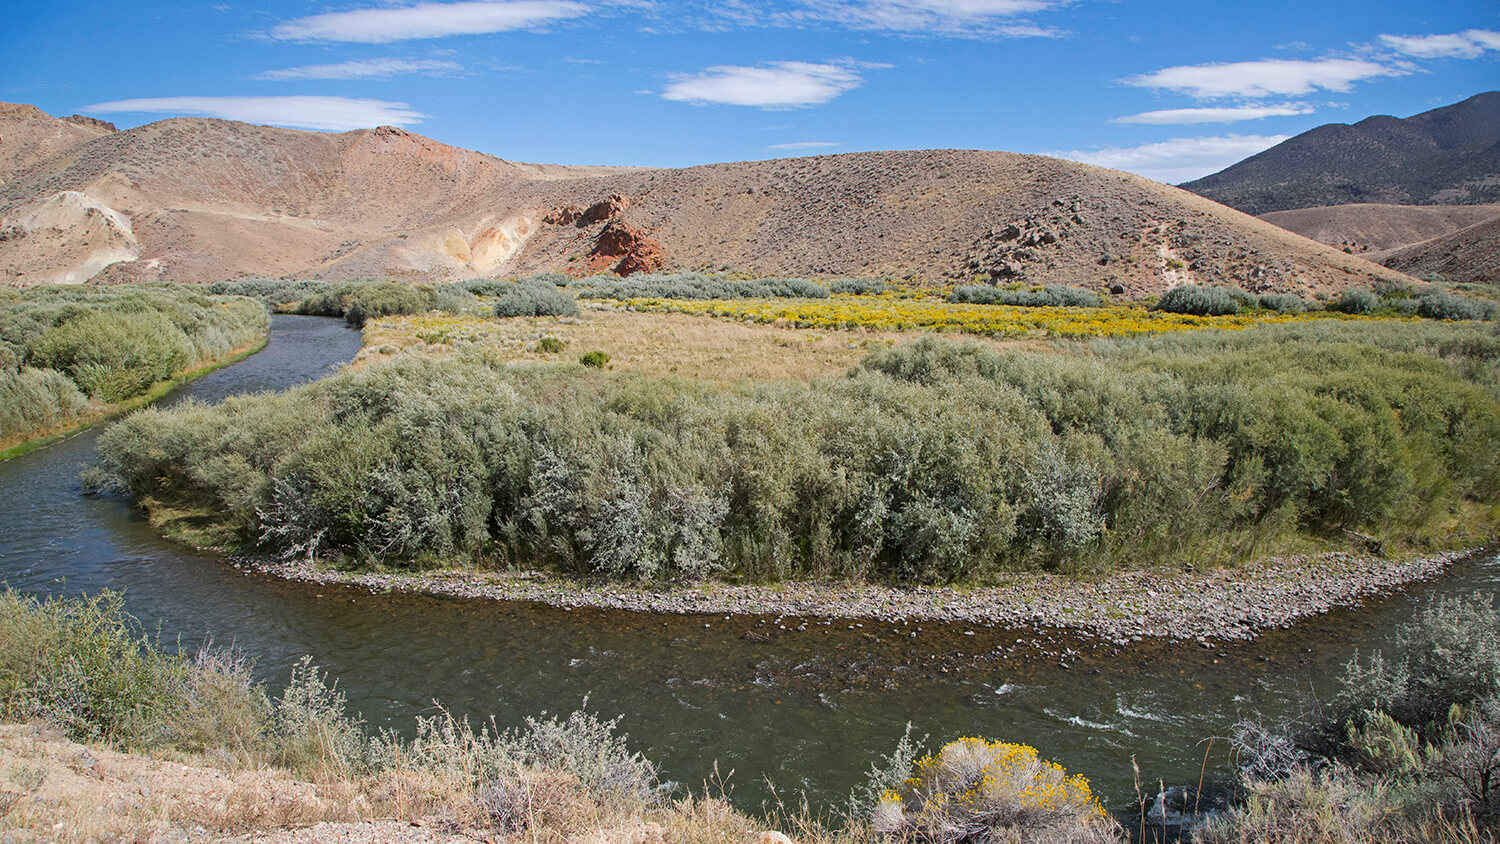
(895, 314)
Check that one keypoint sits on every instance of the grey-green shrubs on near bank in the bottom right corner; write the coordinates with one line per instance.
(1408, 752)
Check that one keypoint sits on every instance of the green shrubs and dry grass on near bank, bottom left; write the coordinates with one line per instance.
(88, 669)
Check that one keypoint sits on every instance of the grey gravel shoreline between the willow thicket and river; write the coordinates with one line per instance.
(1223, 603)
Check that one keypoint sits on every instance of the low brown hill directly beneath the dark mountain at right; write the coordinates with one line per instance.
(1372, 227)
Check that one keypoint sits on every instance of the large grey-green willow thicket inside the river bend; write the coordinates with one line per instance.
(928, 462)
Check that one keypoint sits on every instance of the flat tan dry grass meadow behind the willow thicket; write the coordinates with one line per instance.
(650, 344)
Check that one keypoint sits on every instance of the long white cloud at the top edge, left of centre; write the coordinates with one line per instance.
(428, 20)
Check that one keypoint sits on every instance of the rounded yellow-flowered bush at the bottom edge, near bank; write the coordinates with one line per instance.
(982, 791)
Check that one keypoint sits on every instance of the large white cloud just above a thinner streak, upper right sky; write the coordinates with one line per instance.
(1268, 77)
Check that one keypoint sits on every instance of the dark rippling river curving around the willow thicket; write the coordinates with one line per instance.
(782, 708)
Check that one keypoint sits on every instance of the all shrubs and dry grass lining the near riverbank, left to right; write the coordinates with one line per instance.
(1373, 768)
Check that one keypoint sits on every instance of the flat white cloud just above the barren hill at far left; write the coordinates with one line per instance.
(337, 115)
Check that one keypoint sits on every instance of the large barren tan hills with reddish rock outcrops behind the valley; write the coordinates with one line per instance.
(200, 200)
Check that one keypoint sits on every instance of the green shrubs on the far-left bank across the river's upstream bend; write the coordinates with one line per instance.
(70, 353)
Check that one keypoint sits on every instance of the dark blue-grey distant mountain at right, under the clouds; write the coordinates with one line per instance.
(1447, 157)
